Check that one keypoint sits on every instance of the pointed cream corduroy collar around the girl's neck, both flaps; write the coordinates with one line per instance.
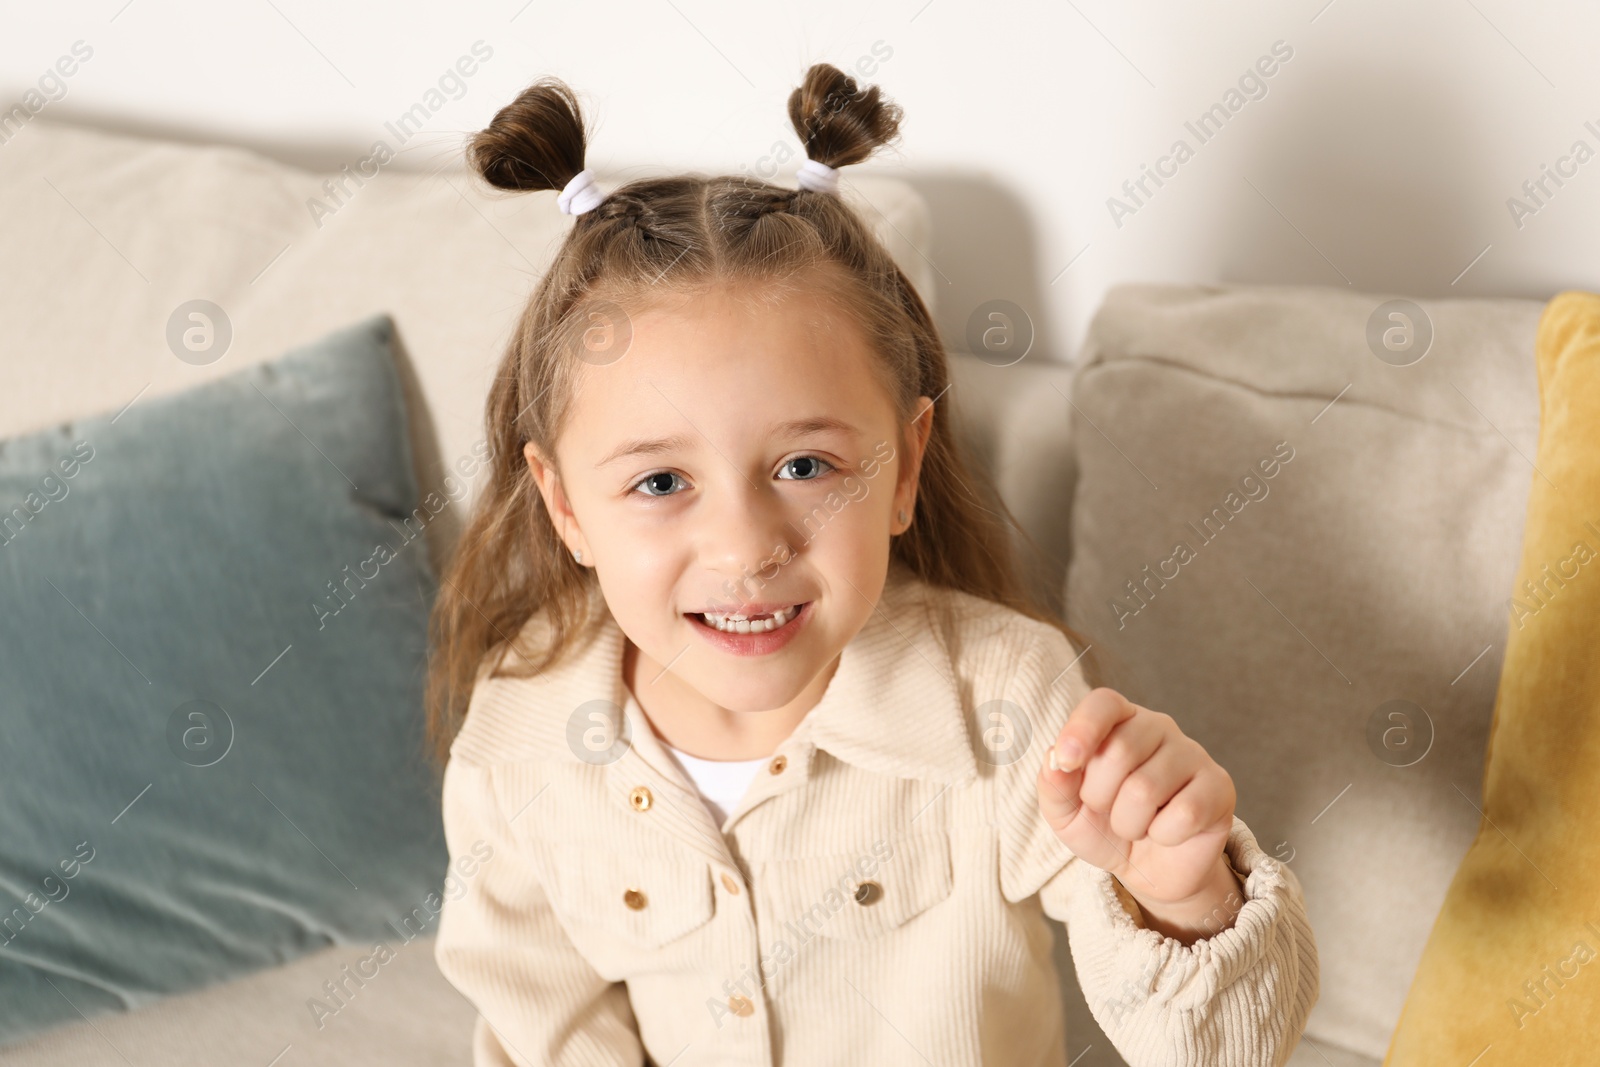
(892, 706)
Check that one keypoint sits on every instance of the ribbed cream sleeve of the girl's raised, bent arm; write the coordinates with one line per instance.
(1236, 999)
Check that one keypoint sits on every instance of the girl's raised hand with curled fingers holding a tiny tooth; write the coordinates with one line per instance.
(1134, 796)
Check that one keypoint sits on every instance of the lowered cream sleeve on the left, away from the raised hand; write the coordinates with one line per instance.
(540, 1002)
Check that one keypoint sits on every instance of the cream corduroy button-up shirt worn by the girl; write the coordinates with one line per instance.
(879, 897)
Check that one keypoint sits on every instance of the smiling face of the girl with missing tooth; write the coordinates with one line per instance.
(740, 458)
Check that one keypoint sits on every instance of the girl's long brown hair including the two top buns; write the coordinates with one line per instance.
(660, 236)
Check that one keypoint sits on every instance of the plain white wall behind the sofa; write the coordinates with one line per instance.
(1382, 156)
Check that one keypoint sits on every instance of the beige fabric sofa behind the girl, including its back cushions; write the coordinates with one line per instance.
(1332, 631)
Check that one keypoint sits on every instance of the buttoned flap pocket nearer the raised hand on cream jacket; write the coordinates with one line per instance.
(866, 893)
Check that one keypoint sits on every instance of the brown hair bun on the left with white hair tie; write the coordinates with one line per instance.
(534, 143)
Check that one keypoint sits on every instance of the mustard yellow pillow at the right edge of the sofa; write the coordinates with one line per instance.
(1511, 972)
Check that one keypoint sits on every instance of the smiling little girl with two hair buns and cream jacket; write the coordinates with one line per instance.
(756, 751)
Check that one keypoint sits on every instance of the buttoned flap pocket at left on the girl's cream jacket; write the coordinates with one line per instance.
(614, 900)
